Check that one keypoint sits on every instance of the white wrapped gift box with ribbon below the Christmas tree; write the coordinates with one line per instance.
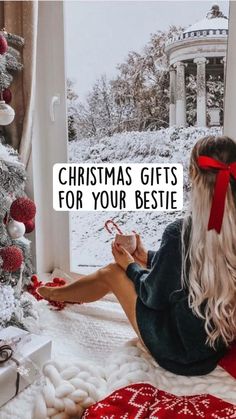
(31, 352)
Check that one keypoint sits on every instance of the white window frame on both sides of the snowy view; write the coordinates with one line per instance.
(50, 142)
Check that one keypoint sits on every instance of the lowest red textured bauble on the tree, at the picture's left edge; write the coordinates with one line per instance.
(12, 257)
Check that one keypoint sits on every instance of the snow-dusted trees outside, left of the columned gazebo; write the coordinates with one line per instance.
(136, 99)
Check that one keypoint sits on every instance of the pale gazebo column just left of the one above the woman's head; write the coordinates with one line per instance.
(180, 94)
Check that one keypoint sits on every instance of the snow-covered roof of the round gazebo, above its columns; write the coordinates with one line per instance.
(214, 20)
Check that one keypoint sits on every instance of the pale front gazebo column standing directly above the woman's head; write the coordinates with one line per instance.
(201, 91)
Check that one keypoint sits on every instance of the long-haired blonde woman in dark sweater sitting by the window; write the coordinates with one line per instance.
(181, 299)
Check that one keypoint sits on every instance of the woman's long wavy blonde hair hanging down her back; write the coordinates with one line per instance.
(209, 258)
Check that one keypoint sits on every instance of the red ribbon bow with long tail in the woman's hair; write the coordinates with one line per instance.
(221, 185)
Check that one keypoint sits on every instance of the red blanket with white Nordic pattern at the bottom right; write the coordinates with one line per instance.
(144, 401)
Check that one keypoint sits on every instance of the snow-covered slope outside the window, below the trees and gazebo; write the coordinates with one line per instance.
(90, 242)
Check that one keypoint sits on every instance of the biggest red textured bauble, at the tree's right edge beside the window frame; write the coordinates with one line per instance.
(23, 209)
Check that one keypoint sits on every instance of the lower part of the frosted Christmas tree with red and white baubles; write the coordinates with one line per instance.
(15, 253)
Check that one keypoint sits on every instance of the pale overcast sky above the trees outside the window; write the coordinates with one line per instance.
(99, 34)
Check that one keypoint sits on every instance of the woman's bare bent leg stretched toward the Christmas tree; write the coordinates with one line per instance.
(92, 287)
